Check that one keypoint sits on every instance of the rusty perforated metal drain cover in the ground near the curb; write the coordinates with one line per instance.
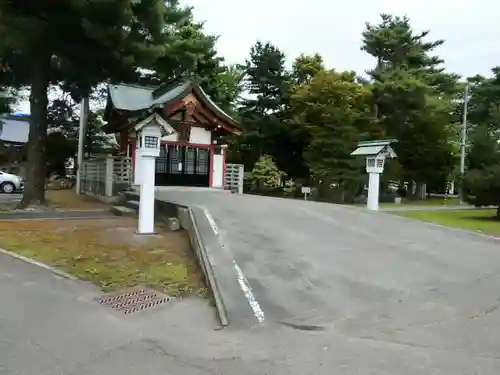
(134, 299)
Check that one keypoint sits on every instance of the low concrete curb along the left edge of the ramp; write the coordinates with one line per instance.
(187, 220)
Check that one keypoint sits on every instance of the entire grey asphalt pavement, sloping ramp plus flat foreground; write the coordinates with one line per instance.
(376, 294)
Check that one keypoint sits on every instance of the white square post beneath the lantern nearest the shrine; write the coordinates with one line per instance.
(147, 196)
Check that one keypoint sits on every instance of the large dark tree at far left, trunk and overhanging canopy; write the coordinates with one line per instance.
(79, 43)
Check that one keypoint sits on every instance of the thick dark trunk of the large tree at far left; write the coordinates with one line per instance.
(34, 187)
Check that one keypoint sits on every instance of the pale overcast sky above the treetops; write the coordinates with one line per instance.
(333, 28)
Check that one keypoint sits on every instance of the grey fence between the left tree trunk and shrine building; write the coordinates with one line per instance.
(105, 176)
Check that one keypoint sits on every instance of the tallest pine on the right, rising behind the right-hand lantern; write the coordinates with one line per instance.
(413, 97)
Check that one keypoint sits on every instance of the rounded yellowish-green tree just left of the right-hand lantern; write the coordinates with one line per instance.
(332, 109)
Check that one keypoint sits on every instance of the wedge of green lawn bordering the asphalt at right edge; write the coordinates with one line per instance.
(477, 220)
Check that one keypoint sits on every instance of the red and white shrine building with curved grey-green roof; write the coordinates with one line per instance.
(193, 125)
